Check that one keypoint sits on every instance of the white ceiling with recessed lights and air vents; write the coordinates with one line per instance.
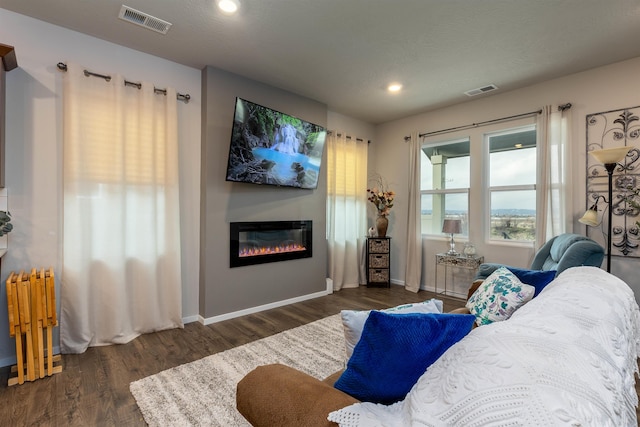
(344, 52)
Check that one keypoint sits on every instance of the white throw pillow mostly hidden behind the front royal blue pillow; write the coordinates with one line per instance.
(353, 320)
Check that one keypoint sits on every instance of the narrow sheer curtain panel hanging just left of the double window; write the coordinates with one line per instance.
(413, 267)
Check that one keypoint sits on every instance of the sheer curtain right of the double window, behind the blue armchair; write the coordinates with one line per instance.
(554, 196)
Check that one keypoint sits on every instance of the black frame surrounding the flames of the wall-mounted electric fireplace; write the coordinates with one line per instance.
(235, 228)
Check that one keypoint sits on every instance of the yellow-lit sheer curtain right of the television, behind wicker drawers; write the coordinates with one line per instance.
(346, 209)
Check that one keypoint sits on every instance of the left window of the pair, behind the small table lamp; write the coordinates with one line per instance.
(444, 184)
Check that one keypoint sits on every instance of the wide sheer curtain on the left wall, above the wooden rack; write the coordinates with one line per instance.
(121, 267)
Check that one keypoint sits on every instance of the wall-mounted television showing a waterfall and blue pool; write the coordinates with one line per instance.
(273, 148)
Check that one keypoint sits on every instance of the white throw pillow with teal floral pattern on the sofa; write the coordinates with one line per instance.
(498, 297)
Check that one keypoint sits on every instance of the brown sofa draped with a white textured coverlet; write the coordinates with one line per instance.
(566, 357)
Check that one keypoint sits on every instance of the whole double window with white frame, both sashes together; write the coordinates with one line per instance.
(486, 178)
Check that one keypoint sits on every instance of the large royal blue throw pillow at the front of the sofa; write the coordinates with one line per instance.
(395, 350)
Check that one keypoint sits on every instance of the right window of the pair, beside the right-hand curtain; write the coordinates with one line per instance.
(511, 172)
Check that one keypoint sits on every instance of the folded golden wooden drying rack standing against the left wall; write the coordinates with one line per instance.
(31, 299)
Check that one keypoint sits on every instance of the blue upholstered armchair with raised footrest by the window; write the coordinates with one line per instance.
(559, 253)
